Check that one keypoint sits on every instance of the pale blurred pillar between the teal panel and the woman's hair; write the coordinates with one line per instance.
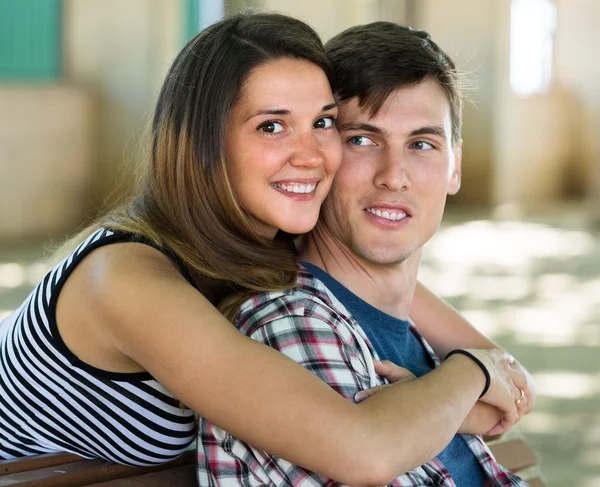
(120, 51)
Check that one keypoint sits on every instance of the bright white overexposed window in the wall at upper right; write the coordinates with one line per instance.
(533, 23)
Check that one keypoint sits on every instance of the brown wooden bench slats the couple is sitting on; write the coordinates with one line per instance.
(66, 470)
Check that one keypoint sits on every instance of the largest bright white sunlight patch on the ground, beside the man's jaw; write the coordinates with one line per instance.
(506, 244)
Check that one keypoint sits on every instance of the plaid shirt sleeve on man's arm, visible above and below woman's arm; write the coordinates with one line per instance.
(311, 336)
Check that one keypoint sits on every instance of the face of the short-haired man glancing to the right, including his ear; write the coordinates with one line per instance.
(388, 196)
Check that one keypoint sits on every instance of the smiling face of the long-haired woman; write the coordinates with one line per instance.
(282, 146)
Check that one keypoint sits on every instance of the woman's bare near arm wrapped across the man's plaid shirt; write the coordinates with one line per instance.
(152, 316)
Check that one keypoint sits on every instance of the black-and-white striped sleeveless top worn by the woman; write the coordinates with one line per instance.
(50, 401)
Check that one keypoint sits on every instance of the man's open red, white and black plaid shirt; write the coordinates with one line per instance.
(309, 325)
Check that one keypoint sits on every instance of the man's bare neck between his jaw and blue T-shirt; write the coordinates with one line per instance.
(389, 288)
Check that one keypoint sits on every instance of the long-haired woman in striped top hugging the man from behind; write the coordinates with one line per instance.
(102, 356)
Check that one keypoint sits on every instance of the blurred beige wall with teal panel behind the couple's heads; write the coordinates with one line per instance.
(78, 79)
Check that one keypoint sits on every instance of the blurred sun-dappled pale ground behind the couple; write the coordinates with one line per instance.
(531, 285)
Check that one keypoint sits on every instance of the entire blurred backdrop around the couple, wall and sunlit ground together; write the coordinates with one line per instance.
(519, 253)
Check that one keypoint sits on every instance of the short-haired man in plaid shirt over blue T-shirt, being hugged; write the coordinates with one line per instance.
(400, 122)
